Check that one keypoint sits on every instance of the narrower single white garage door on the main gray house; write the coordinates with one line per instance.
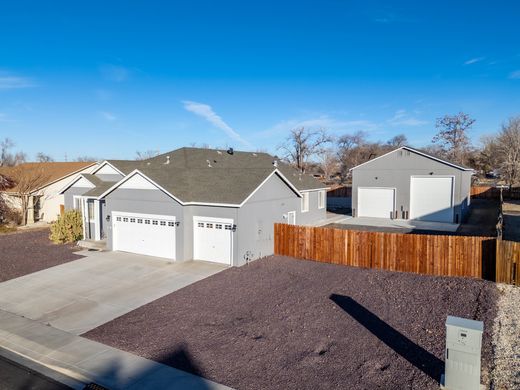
(213, 239)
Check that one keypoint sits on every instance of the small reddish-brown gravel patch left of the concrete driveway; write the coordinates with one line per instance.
(22, 253)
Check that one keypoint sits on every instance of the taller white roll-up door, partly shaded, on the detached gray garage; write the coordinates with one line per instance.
(431, 198)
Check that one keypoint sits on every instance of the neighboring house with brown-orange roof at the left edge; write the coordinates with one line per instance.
(41, 183)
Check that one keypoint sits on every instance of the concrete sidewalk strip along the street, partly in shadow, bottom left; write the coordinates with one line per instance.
(85, 361)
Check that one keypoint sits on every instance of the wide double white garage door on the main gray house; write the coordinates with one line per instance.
(145, 234)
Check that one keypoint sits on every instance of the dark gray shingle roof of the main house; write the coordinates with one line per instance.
(214, 176)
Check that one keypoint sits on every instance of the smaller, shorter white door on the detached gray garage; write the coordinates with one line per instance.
(376, 202)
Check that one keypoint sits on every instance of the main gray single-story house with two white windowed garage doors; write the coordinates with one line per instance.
(202, 204)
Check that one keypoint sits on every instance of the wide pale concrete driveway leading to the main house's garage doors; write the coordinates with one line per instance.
(83, 294)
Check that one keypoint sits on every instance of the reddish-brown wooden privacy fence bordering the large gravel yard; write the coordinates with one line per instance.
(418, 253)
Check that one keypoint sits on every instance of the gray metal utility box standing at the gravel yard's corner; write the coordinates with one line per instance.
(463, 345)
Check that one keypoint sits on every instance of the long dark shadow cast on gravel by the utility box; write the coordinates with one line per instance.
(413, 353)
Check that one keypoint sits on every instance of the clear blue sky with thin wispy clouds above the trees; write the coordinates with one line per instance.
(106, 79)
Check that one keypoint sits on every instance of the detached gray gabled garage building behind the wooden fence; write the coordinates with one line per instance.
(409, 184)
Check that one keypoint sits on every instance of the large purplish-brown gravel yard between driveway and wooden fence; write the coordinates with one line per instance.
(281, 323)
